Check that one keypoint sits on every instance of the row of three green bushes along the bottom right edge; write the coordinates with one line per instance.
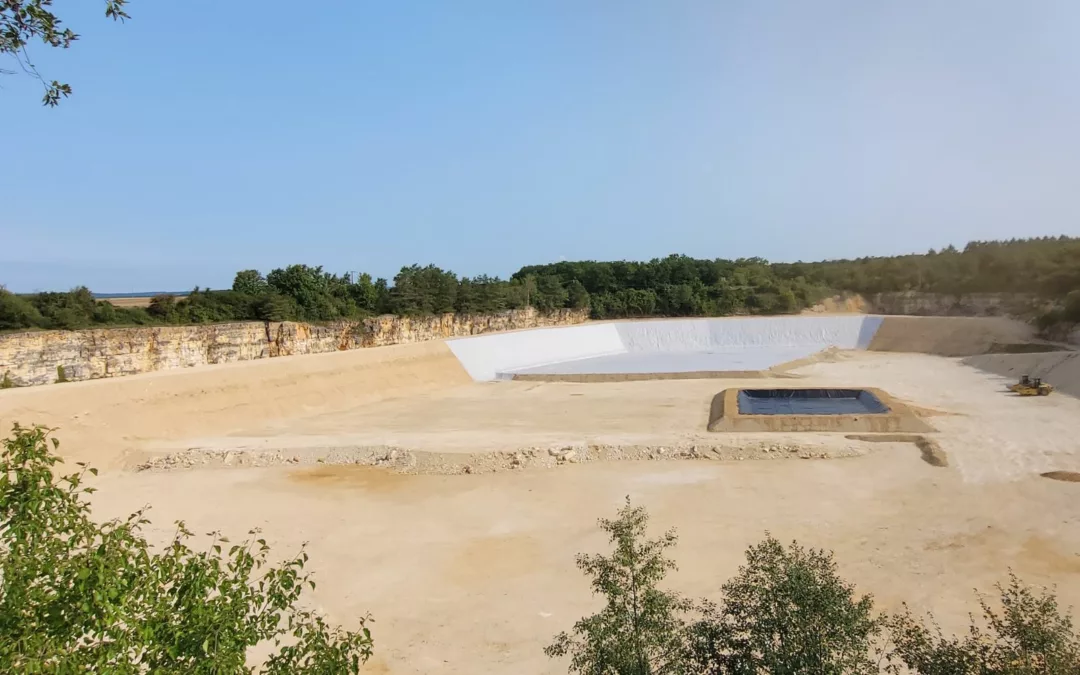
(789, 613)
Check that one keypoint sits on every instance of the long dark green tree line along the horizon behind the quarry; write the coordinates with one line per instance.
(678, 286)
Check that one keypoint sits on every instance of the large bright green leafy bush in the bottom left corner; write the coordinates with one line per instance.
(82, 597)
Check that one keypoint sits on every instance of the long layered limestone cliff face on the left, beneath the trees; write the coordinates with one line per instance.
(39, 358)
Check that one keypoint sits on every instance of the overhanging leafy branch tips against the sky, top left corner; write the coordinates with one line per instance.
(23, 22)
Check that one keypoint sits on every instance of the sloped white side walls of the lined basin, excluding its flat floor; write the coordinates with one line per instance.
(490, 357)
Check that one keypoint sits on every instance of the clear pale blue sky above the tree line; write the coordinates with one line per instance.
(207, 137)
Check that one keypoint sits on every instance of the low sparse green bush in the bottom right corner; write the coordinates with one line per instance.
(1029, 636)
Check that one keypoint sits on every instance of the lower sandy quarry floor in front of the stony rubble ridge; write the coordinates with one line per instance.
(472, 574)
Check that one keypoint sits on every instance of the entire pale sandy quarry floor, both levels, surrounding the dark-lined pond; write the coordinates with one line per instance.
(475, 573)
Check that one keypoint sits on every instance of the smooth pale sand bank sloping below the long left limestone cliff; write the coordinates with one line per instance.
(103, 421)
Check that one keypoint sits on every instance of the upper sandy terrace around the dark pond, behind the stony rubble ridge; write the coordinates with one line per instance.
(989, 435)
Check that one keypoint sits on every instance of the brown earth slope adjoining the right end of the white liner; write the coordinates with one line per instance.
(950, 336)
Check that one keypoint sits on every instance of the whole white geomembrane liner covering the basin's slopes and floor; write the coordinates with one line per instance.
(661, 346)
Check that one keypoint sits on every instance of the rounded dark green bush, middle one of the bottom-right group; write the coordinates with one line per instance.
(787, 613)
